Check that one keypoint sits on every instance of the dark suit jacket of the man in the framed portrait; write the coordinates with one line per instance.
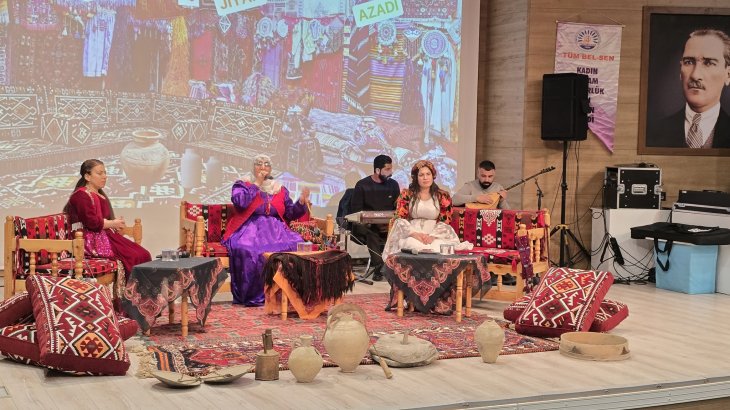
(669, 133)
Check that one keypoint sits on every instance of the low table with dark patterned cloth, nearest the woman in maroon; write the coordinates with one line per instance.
(153, 285)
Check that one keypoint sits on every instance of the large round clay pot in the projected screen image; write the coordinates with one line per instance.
(145, 159)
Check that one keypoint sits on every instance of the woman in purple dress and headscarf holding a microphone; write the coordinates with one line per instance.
(259, 225)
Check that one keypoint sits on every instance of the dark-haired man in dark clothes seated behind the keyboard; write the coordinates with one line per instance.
(376, 192)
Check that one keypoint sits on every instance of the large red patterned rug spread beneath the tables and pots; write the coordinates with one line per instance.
(233, 336)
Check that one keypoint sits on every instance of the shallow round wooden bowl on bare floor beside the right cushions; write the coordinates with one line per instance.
(594, 346)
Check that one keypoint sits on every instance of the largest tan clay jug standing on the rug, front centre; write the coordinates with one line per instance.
(346, 339)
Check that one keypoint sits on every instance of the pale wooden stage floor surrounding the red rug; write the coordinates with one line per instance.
(678, 342)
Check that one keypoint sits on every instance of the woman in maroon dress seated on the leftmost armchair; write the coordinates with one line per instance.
(89, 209)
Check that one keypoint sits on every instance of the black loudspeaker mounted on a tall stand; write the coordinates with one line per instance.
(565, 107)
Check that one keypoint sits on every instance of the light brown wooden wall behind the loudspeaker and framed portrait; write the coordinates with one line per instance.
(517, 47)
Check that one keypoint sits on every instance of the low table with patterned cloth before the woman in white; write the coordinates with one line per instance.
(425, 278)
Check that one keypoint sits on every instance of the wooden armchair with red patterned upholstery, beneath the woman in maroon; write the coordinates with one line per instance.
(46, 245)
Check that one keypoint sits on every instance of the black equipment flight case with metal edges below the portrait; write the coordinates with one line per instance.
(632, 186)
